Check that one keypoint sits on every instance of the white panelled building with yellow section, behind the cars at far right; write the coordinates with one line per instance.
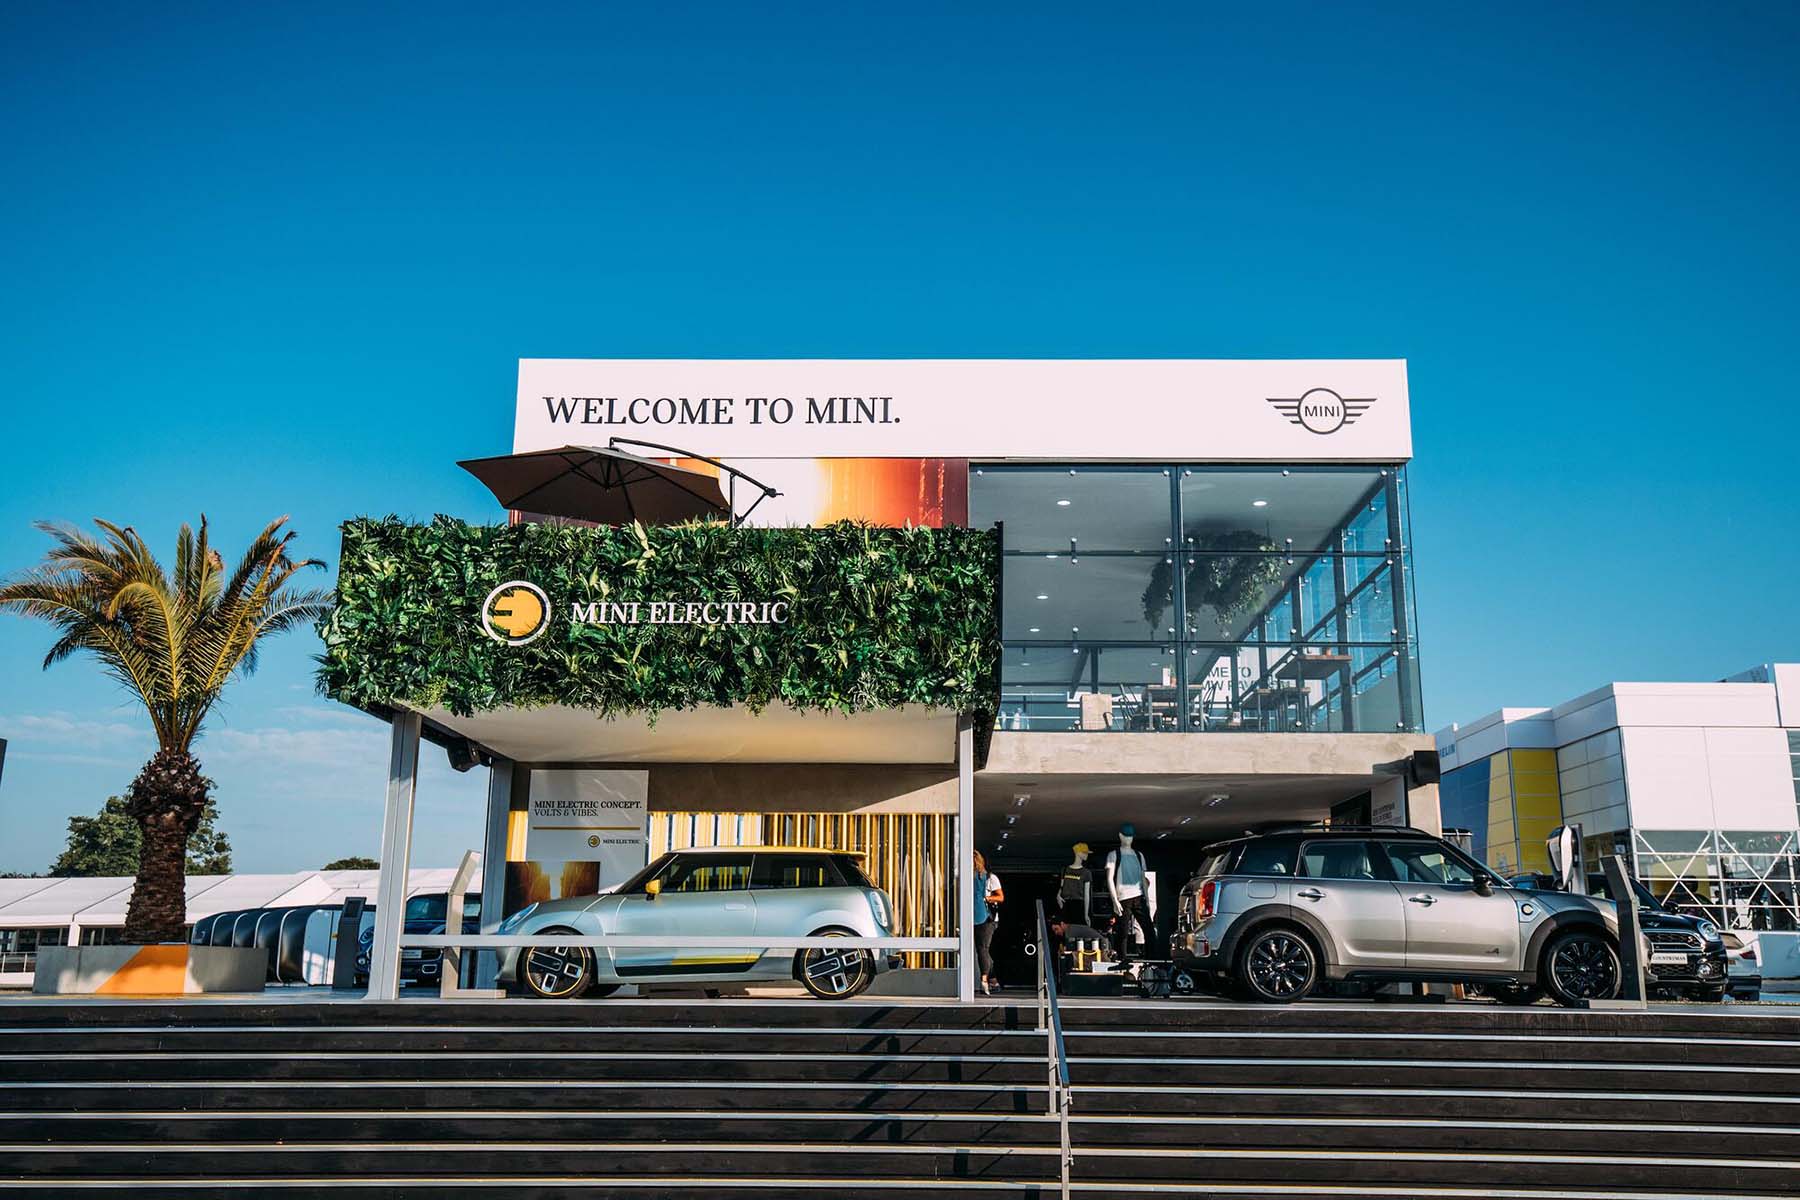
(1696, 784)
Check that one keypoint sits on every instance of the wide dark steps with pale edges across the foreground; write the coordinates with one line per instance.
(755, 1098)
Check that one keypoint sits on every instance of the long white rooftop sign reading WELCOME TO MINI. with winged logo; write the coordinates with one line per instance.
(1081, 409)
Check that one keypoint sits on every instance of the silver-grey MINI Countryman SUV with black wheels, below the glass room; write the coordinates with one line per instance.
(1281, 913)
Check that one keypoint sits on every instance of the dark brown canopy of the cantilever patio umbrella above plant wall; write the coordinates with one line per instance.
(600, 485)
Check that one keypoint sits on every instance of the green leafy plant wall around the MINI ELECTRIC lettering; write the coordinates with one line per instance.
(877, 618)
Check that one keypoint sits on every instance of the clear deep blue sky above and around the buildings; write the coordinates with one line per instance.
(271, 260)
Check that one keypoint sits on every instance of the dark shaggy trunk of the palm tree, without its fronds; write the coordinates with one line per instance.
(166, 800)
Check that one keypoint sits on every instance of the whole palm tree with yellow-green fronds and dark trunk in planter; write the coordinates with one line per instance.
(174, 641)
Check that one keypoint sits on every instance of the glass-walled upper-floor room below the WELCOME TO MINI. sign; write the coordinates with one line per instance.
(1205, 598)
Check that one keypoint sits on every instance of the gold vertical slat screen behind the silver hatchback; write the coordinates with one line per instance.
(906, 855)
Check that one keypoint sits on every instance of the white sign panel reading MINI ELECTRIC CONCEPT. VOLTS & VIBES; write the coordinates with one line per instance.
(591, 816)
